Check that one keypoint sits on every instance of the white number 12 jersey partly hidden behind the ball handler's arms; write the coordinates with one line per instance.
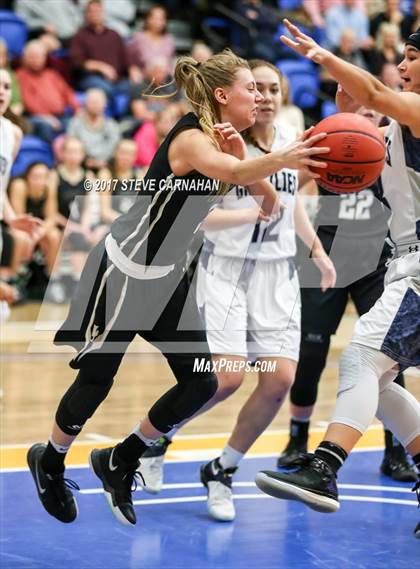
(265, 241)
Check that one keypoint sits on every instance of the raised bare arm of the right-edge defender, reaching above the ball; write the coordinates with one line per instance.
(358, 83)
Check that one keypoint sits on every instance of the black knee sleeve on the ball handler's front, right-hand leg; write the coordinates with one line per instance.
(192, 391)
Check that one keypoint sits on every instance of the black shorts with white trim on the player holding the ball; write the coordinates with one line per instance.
(109, 309)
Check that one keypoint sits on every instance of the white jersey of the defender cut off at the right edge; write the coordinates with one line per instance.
(401, 186)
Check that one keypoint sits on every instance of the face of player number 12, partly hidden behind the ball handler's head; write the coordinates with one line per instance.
(268, 84)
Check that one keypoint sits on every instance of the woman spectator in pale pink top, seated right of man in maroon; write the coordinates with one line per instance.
(151, 43)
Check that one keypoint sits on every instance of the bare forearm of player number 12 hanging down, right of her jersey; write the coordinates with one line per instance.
(304, 229)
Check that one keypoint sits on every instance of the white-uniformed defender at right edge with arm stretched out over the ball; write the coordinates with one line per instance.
(387, 338)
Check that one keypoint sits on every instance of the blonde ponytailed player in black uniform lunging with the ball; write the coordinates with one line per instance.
(134, 281)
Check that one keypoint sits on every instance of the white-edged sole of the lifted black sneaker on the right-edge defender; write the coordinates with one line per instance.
(286, 491)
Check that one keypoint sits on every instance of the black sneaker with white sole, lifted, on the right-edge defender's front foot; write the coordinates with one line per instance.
(309, 480)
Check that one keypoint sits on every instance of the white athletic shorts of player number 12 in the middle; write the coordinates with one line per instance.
(250, 308)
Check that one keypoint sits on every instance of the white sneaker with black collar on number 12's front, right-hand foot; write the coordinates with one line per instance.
(219, 490)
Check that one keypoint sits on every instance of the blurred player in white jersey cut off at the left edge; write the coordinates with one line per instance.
(10, 138)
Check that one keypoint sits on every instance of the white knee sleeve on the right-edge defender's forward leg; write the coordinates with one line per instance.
(361, 369)
